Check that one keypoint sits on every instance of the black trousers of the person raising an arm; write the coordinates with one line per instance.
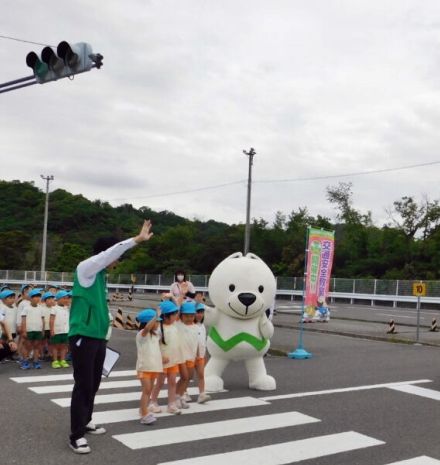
(88, 356)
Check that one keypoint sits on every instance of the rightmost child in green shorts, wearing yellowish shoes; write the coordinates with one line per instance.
(59, 327)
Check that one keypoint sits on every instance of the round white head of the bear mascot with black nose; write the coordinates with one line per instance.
(242, 286)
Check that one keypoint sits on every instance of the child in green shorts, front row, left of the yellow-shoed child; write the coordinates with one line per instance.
(32, 330)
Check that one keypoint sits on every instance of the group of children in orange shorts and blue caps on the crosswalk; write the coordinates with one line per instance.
(171, 344)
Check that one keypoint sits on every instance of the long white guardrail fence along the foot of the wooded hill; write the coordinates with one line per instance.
(369, 291)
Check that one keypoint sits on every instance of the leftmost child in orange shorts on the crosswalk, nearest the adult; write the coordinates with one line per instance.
(149, 359)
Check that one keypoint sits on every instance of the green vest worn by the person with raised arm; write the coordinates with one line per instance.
(89, 314)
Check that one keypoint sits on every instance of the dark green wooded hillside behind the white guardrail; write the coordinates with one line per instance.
(407, 247)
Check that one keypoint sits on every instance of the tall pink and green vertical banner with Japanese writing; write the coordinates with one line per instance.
(320, 251)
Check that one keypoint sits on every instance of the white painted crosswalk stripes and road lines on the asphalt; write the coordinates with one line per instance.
(122, 387)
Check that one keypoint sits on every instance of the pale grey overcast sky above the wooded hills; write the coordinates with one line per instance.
(317, 87)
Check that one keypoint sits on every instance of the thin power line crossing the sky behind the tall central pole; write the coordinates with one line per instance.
(279, 181)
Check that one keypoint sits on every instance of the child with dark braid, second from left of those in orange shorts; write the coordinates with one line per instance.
(170, 349)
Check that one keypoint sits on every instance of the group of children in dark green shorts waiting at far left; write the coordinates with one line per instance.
(36, 321)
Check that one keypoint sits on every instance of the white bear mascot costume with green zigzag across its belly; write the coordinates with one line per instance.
(242, 288)
